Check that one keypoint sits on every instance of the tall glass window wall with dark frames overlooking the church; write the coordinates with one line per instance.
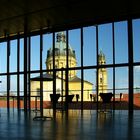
(25, 58)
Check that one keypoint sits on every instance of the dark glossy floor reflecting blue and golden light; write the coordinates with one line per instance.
(71, 125)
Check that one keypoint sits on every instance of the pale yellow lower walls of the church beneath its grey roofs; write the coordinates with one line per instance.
(74, 88)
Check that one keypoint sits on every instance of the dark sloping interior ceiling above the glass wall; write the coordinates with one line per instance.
(17, 16)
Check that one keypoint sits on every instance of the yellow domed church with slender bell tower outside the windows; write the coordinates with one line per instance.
(74, 82)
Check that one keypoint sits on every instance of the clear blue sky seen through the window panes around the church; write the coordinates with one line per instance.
(105, 44)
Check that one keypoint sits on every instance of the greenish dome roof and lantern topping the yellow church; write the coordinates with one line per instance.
(61, 47)
